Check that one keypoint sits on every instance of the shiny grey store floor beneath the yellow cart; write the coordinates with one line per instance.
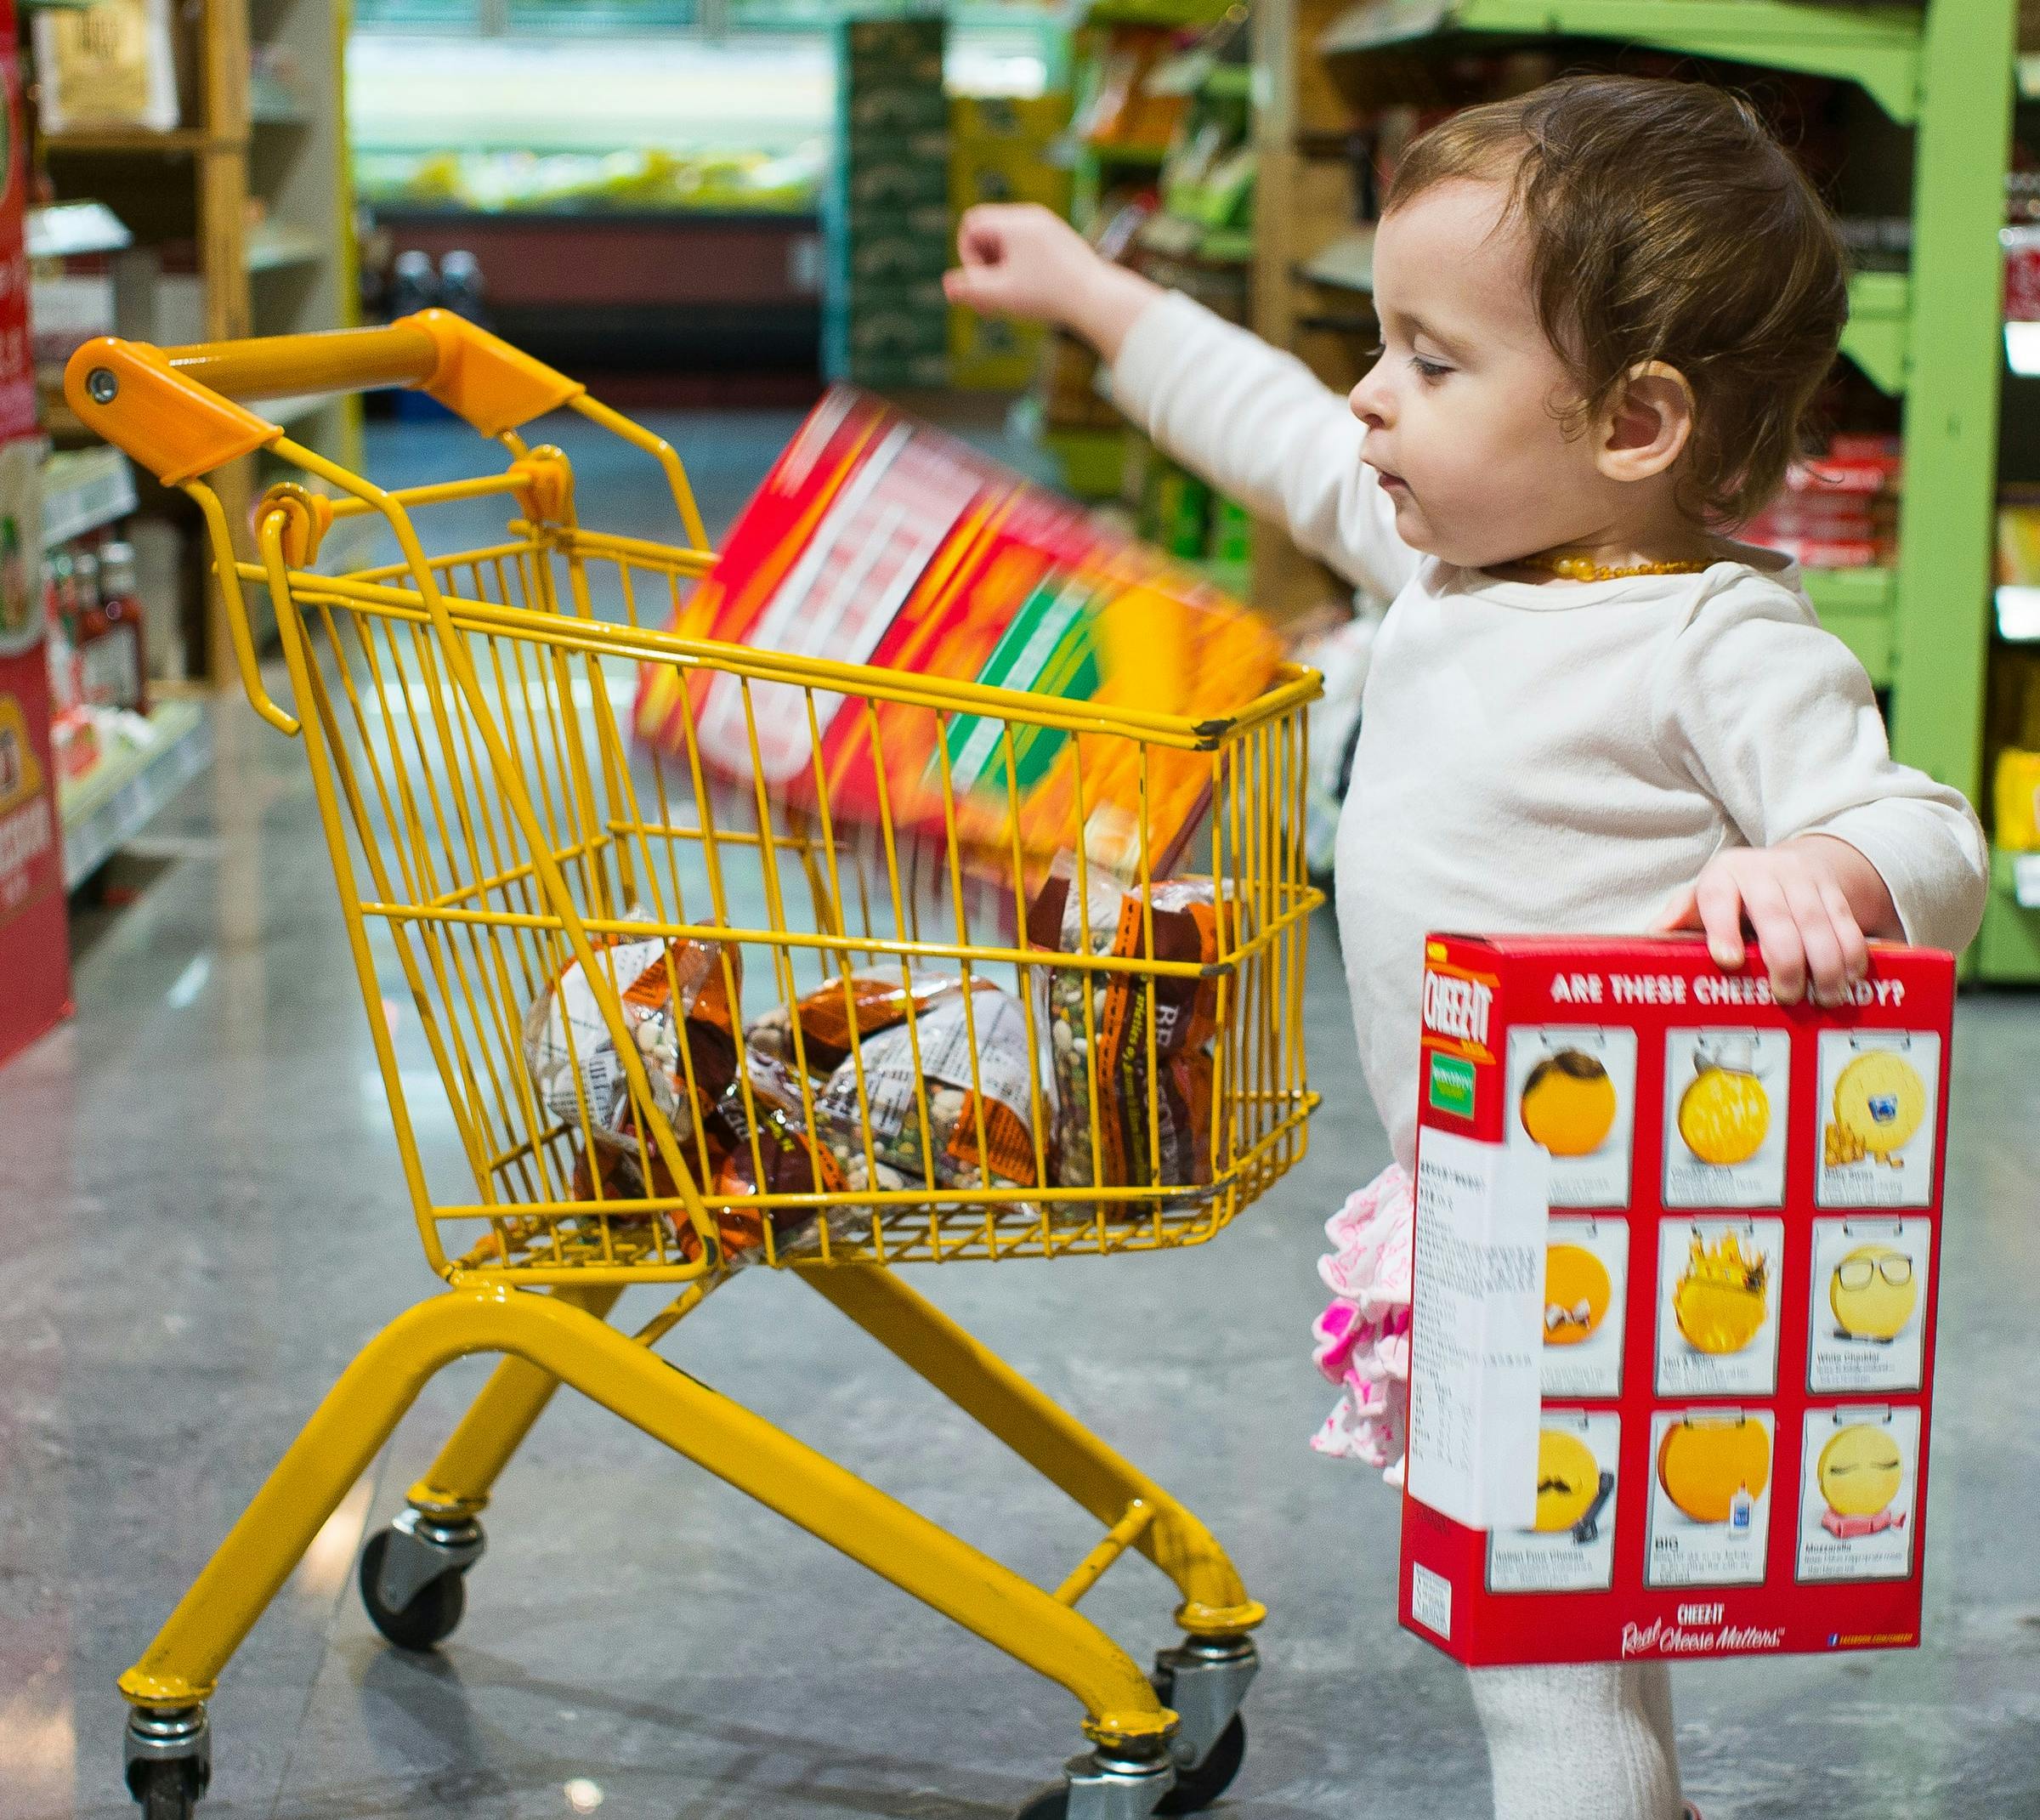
(205, 1219)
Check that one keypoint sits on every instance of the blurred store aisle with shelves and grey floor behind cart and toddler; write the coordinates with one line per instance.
(711, 209)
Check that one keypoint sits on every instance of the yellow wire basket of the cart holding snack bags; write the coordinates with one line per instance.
(503, 844)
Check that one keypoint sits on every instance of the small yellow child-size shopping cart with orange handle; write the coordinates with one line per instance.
(503, 844)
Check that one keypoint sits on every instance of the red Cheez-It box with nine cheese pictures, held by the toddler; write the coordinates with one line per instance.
(1674, 1307)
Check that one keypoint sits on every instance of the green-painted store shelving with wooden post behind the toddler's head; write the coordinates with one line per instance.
(1941, 79)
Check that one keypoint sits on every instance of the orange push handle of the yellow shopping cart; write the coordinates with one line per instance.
(183, 411)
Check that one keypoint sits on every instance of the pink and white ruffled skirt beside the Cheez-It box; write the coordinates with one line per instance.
(1364, 1335)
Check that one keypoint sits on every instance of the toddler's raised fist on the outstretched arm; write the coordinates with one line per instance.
(1021, 260)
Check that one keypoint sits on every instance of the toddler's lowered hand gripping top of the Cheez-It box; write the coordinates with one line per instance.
(1808, 903)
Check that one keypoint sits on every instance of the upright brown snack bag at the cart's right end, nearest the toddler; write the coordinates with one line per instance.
(1099, 1031)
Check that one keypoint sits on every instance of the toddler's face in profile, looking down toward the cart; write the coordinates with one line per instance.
(1464, 407)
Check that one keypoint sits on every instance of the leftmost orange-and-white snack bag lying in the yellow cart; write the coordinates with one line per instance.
(676, 1003)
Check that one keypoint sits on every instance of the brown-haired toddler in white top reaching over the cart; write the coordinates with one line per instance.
(1604, 311)
